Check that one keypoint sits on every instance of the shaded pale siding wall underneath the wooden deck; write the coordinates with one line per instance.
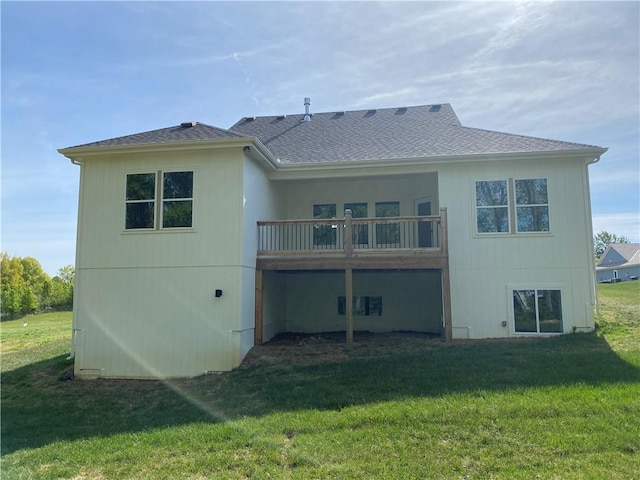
(411, 300)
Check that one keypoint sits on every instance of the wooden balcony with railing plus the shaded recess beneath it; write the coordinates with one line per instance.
(395, 270)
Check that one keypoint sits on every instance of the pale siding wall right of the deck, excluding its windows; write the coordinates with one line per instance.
(484, 269)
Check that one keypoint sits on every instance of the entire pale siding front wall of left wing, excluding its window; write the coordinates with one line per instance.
(146, 305)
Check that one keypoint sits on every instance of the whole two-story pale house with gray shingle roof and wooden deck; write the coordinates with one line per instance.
(195, 242)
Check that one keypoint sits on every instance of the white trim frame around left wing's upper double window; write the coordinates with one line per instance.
(158, 200)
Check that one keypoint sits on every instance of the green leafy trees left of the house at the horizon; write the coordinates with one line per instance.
(26, 288)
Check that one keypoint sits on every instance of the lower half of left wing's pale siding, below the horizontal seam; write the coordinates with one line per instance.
(169, 325)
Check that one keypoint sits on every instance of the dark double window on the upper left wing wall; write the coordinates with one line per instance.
(175, 205)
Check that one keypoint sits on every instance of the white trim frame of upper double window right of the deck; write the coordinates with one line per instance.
(511, 206)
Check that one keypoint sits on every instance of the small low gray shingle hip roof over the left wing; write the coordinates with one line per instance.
(185, 132)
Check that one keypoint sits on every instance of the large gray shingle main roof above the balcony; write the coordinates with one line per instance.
(409, 132)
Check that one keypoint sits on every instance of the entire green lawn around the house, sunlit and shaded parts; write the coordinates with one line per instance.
(565, 407)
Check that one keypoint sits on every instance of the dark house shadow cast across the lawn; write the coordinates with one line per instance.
(40, 407)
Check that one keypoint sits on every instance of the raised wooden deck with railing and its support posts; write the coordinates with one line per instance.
(348, 244)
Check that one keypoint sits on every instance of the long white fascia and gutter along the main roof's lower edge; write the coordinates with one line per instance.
(354, 168)
